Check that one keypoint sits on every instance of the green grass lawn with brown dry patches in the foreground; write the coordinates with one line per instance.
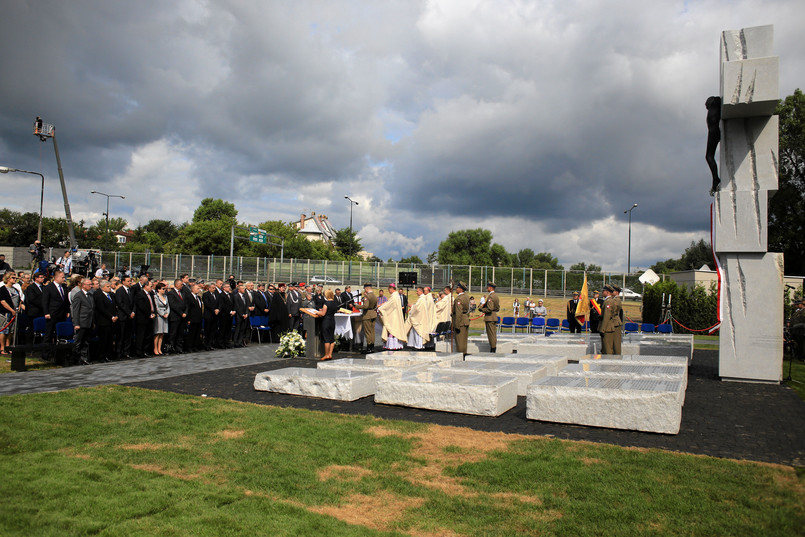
(115, 461)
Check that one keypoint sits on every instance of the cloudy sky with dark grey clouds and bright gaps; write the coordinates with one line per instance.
(539, 120)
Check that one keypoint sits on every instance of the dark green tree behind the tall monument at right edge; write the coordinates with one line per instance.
(787, 207)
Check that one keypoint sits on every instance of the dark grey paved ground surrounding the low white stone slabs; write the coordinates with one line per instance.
(758, 422)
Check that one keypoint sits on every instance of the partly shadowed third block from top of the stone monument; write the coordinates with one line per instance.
(749, 154)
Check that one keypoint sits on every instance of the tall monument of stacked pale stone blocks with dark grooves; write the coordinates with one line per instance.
(750, 345)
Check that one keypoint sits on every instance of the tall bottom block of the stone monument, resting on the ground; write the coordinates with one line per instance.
(750, 342)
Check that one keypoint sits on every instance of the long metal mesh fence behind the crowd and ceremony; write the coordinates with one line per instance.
(509, 280)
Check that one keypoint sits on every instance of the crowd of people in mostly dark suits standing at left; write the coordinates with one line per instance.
(120, 317)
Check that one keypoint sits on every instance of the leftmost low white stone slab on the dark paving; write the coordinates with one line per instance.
(324, 383)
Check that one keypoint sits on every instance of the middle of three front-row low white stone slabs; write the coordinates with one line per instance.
(465, 393)
